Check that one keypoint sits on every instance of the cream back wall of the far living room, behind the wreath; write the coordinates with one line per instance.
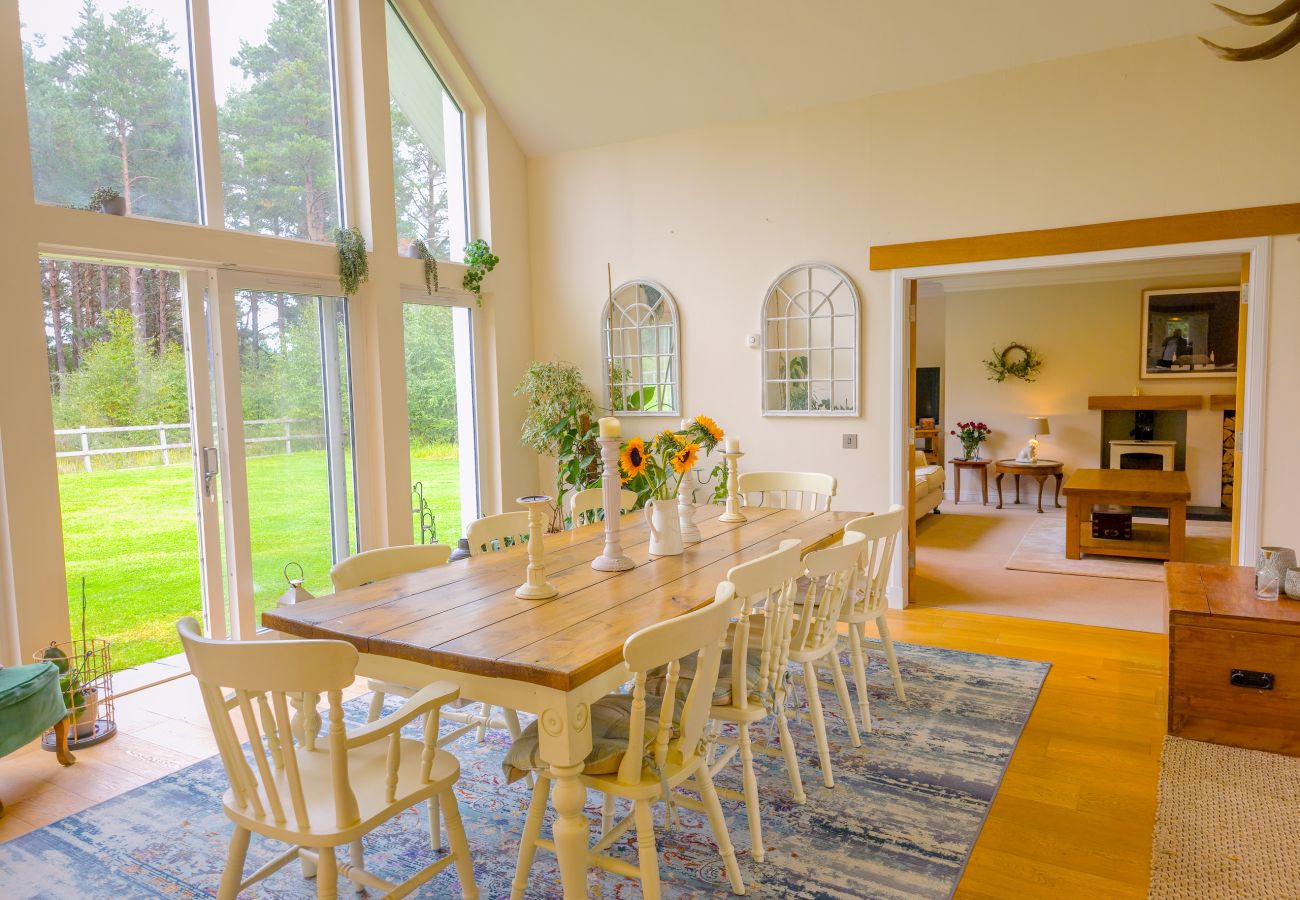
(1090, 340)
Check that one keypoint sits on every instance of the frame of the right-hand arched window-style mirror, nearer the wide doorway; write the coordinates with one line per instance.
(813, 313)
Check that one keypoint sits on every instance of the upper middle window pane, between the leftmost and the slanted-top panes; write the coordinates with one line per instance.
(276, 116)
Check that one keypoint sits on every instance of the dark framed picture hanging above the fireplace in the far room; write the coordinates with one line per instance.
(1190, 332)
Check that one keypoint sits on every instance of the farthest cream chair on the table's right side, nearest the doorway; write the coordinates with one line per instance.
(868, 602)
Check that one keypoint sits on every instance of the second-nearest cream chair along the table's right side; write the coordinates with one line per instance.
(756, 691)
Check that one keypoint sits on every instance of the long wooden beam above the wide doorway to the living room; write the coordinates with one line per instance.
(1191, 228)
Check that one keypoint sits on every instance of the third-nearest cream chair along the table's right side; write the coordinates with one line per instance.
(830, 576)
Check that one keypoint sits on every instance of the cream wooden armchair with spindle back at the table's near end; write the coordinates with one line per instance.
(318, 798)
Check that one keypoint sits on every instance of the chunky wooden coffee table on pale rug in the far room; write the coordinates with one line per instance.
(1128, 487)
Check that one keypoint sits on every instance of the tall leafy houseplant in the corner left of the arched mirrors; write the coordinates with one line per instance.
(561, 423)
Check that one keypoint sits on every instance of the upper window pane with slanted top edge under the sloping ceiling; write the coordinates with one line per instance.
(428, 149)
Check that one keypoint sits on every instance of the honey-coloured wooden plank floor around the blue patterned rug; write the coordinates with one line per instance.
(1073, 819)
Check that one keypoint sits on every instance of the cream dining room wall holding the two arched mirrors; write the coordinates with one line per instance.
(716, 214)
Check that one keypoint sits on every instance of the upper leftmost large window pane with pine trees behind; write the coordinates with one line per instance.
(110, 105)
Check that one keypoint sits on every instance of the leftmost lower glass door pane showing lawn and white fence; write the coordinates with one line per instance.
(123, 443)
